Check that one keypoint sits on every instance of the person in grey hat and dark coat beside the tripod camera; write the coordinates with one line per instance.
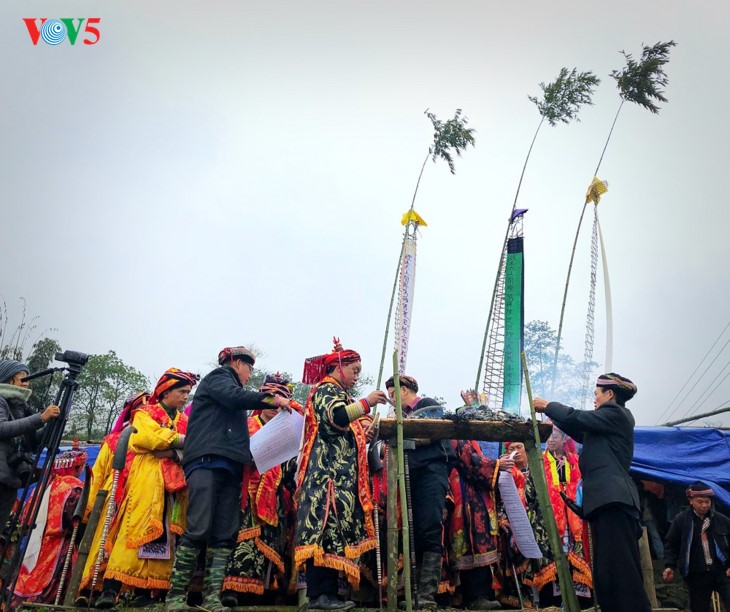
(19, 433)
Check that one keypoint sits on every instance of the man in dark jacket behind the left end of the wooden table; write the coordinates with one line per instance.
(428, 465)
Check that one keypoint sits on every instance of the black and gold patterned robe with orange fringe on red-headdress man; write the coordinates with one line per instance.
(334, 513)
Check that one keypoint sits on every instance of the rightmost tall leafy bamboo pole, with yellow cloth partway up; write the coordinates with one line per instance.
(642, 82)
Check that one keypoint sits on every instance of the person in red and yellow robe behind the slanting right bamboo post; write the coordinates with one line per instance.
(562, 474)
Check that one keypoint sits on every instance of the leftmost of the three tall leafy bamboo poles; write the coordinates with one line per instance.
(449, 137)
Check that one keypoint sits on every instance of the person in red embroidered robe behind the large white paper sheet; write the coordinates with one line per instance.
(259, 561)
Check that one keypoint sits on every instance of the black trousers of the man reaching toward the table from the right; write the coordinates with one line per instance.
(617, 573)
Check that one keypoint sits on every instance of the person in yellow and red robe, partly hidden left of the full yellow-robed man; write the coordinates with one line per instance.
(102, 476)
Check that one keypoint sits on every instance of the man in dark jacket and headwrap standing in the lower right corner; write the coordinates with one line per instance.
(697, 543)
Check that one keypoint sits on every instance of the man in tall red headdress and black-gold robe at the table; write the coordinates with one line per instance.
(335, 509)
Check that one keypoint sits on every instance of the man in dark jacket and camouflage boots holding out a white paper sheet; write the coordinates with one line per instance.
(215, 454)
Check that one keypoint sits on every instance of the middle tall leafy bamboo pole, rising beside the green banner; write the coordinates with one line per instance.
(560, 103)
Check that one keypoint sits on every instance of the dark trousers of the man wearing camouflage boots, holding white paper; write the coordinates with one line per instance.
(214, 509)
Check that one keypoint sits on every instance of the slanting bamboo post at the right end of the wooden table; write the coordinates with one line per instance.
(537, 472)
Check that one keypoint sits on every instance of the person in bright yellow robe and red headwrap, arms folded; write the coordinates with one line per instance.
(154, 501)
